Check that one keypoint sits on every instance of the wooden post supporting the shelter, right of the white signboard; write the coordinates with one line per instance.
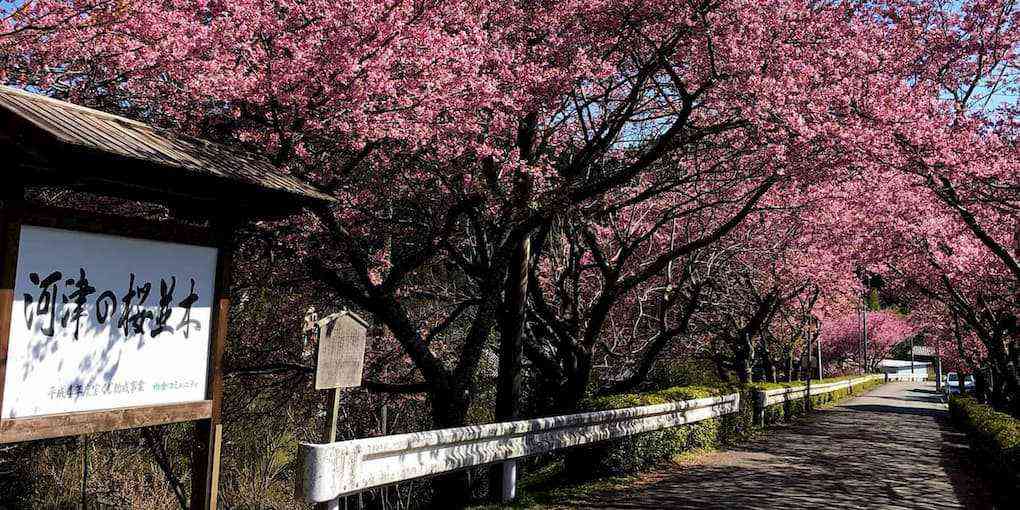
(210, 433)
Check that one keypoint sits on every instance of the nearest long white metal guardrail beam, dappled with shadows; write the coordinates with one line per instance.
(337, 470)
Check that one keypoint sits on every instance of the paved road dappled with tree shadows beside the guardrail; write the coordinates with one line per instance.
(891, 448)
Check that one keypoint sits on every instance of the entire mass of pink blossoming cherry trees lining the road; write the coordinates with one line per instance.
(593, 189)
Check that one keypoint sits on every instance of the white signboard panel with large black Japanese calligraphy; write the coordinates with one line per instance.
(106, 323)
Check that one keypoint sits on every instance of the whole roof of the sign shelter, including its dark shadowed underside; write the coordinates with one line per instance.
(63, 144)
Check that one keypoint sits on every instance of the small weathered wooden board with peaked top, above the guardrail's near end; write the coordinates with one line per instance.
(341, 359)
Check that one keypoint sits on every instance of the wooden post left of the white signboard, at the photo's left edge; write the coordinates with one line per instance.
(11, 235)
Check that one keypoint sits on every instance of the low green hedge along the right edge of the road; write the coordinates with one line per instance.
(996, 438)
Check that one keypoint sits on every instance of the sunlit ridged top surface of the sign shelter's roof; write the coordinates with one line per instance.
(86, 128)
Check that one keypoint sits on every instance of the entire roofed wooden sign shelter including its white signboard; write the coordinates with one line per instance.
(71, 281)
